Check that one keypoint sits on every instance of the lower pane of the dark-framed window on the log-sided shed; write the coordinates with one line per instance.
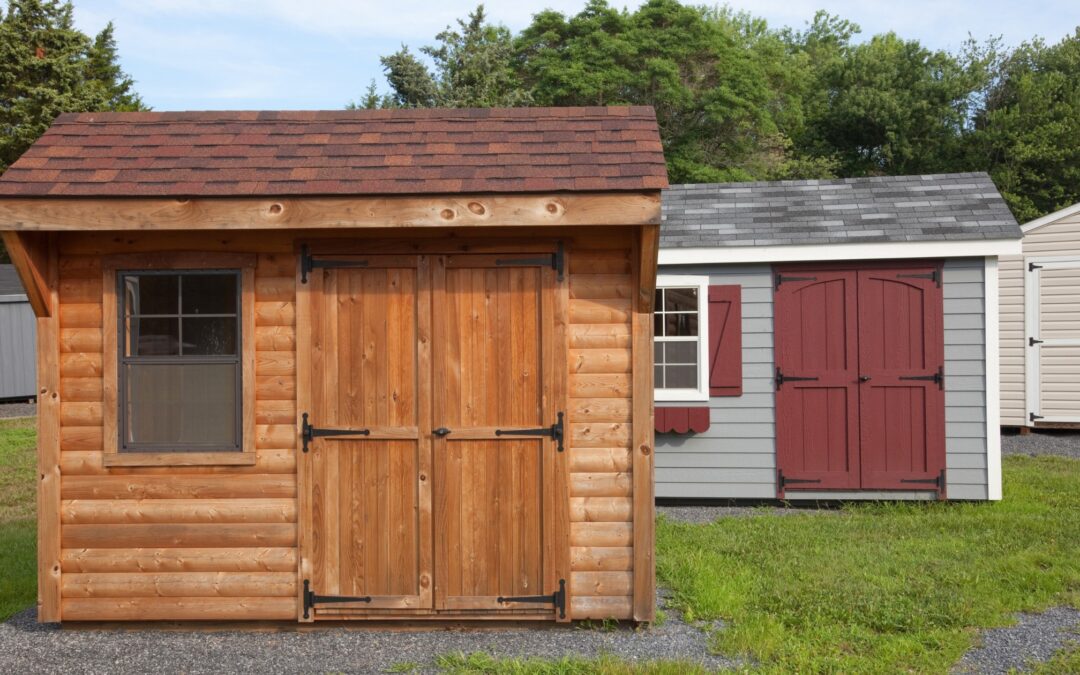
(186, 406)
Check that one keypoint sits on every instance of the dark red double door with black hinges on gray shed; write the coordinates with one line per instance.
(860, 380)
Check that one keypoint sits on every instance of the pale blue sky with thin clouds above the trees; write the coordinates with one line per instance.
(320, 55)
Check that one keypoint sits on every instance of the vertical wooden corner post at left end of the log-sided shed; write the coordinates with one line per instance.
(49, 441)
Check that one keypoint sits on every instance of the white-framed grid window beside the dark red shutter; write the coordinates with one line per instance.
(681, 333)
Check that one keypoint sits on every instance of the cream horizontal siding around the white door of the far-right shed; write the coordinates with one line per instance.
(1061, 238)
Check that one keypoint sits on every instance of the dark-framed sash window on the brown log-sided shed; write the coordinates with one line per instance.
(180, 359)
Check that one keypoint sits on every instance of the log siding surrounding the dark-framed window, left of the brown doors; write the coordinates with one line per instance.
(178, 543)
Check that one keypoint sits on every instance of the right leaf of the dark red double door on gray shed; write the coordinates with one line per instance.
(901, 359)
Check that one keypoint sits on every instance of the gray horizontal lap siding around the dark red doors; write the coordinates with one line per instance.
(737, 457)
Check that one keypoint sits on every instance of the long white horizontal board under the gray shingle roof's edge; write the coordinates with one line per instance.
(882, 251)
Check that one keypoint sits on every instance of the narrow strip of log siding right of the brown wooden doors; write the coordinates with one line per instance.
(601, 489)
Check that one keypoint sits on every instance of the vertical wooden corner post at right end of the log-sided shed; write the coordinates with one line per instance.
(645, 273)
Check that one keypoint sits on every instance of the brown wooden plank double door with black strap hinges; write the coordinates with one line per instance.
(431, 437)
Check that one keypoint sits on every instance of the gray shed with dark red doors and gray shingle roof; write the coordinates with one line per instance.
(847, 339)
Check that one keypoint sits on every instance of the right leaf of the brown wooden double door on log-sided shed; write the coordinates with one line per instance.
(493, 374)
